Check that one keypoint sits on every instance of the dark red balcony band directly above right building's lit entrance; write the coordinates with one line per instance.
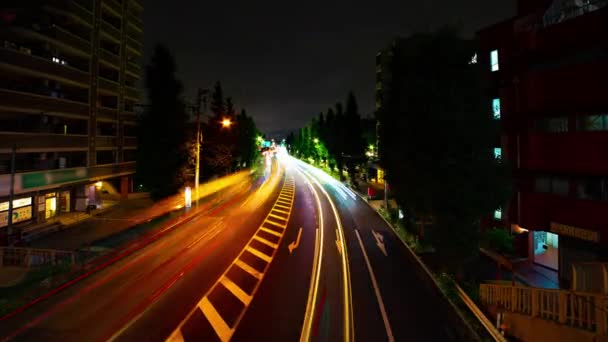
(538, 210)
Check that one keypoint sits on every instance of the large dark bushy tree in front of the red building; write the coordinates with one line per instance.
(436, 138)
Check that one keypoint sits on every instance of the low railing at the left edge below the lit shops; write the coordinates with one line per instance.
(33, 257)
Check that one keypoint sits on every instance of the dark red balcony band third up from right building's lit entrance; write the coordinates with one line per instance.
(571, 88)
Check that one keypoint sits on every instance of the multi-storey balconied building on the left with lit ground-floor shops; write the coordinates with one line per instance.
(69, 72)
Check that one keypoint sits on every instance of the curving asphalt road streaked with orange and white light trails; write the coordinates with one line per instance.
(299, 258)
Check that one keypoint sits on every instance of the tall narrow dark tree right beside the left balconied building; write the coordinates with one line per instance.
(162, 140)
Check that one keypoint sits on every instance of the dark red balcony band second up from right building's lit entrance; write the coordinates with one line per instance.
(569, 153)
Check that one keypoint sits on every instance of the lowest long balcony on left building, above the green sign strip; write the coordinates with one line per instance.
(42, 141)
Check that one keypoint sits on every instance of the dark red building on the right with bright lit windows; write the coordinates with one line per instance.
(546, 71)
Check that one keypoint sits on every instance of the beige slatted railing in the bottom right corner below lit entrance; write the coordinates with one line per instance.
(588, 311)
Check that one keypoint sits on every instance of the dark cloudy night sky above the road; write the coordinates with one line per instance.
(287, 61)
